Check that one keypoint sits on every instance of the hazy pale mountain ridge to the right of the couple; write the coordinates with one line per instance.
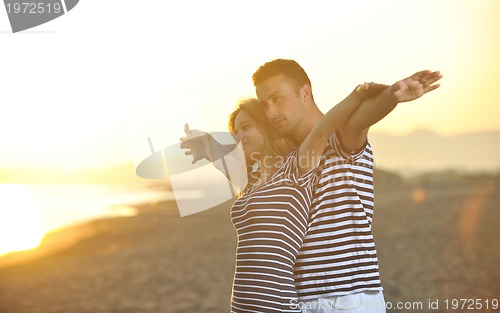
(424, 150)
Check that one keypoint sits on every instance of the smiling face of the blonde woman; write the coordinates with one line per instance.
(252, 139)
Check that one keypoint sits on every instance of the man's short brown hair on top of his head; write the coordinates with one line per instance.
(289, 68)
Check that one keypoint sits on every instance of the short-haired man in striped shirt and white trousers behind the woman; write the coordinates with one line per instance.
(337, 266)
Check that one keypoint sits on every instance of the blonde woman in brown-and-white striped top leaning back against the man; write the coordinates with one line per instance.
(270, 216)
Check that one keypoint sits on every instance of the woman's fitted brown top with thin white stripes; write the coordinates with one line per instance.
(270, 223)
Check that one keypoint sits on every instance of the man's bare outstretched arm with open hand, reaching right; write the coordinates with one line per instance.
(372, 110)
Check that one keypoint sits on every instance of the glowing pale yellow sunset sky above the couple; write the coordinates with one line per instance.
(87, 89)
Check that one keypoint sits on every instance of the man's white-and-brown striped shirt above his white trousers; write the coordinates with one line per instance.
(338, 255)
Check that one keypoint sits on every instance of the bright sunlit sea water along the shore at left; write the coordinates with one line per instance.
(28, 212)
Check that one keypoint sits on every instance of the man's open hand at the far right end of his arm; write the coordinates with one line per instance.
(415, 86)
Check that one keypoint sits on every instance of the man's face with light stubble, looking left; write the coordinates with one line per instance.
(283, 104)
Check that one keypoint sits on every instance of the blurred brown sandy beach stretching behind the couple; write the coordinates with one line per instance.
(436, 241)
